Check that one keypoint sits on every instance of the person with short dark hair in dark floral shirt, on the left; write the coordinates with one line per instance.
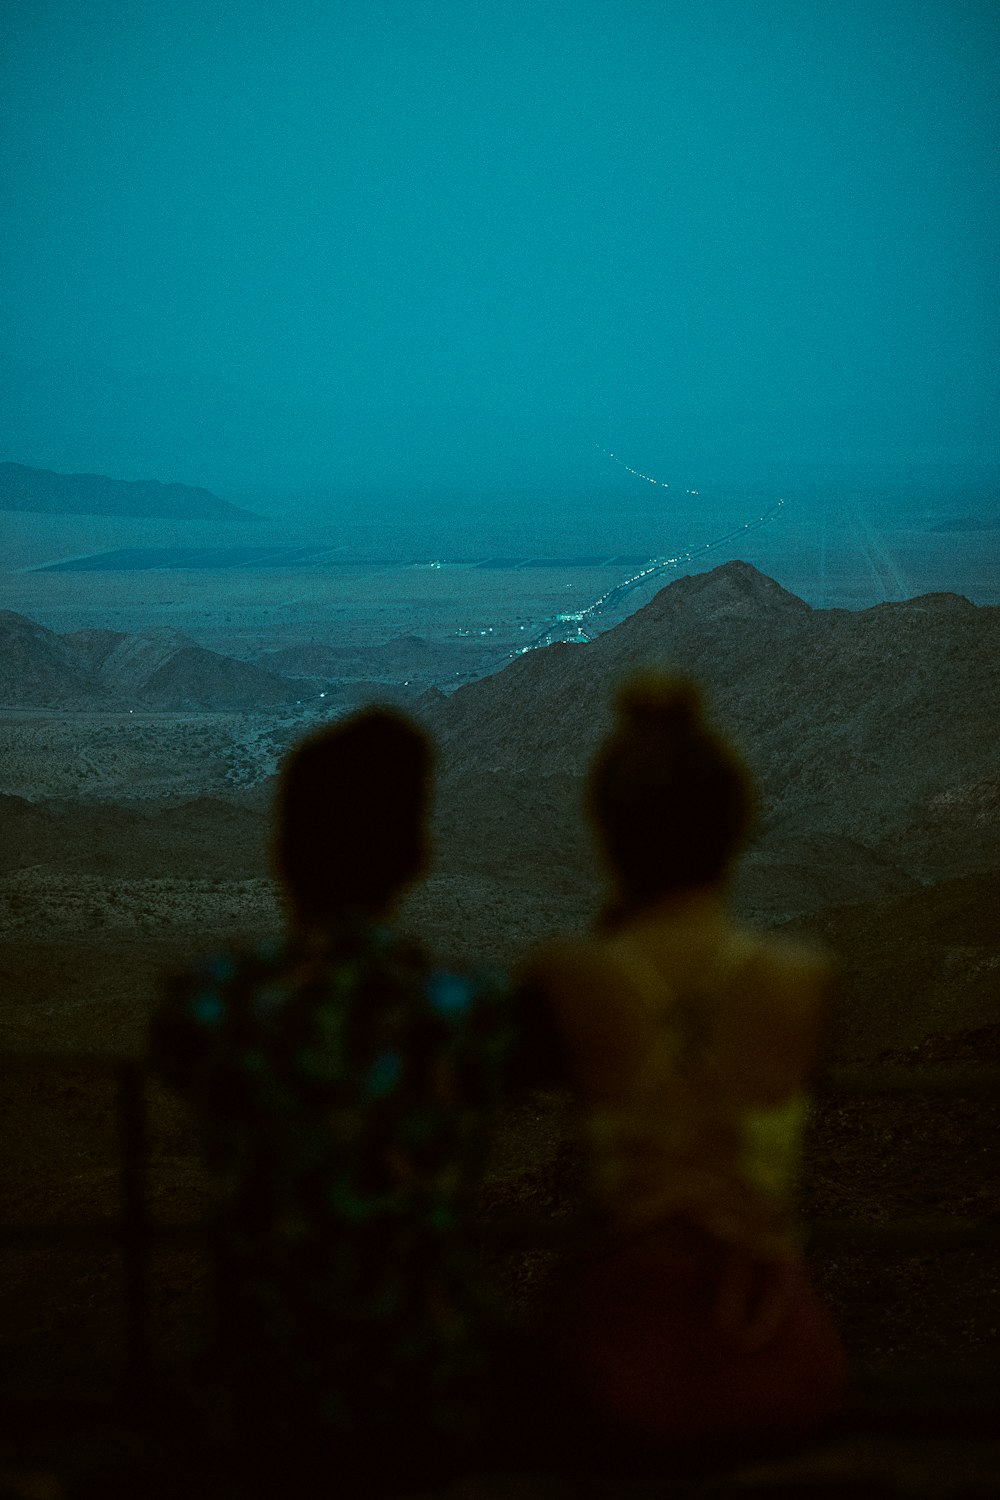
(347, 1090)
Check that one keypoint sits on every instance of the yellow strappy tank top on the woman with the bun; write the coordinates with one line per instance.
(692, 1135)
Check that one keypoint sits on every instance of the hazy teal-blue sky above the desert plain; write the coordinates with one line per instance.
(379, 244)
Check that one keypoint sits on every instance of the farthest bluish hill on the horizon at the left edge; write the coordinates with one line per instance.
(44, 491)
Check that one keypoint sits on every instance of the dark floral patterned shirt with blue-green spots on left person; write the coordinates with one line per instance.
(347, 1091)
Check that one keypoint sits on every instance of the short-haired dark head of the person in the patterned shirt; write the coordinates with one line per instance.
(352, 815)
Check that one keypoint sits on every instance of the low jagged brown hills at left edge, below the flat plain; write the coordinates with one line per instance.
(161, 670)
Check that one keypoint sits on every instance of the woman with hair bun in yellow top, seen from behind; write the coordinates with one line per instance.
(690, 1042)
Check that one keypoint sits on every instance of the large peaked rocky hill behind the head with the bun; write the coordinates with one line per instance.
(872, 734)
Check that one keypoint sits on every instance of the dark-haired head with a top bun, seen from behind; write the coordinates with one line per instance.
(671, 799)
